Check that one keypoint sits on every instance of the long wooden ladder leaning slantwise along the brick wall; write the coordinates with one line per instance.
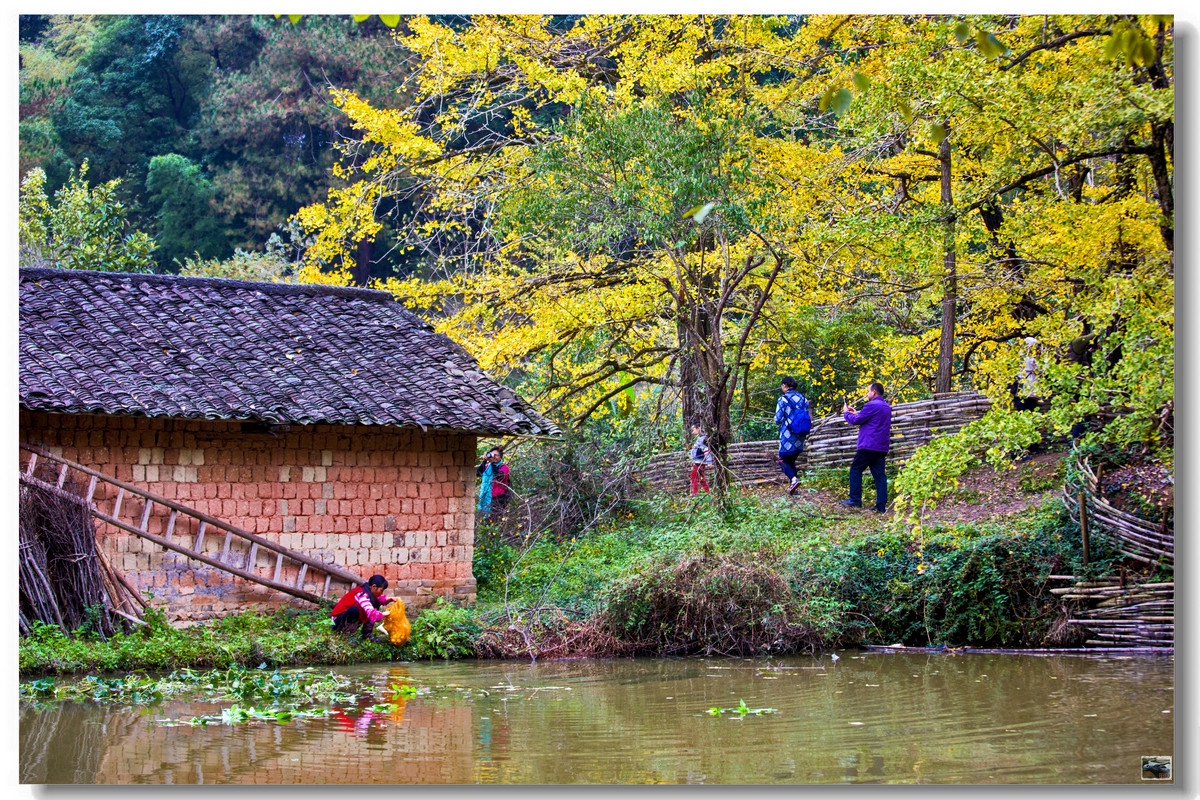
(239, 555)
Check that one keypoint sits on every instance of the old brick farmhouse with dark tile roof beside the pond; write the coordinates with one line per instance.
(331, 422)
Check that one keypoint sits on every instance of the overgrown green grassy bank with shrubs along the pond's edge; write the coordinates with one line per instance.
(671, 578)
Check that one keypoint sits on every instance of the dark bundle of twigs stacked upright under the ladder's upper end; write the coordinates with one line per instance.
(63, 579)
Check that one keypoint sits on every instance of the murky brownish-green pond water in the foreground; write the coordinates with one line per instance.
(868, 718)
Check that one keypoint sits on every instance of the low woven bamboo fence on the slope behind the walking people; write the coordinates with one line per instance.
(830, 446)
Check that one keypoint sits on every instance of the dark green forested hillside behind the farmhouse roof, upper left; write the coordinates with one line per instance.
(219, 129)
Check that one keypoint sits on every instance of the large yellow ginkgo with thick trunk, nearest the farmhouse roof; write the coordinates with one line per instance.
(608, 206)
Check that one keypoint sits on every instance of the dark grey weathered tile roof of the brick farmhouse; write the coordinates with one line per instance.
(206, 348)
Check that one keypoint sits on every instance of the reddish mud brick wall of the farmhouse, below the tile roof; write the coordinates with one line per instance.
(370, 500)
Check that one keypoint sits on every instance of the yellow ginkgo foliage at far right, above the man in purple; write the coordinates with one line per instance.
(1021, 176)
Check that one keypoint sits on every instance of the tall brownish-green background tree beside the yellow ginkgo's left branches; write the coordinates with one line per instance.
(268, 127)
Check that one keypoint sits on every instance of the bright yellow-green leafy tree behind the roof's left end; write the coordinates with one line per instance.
(83, 228)
